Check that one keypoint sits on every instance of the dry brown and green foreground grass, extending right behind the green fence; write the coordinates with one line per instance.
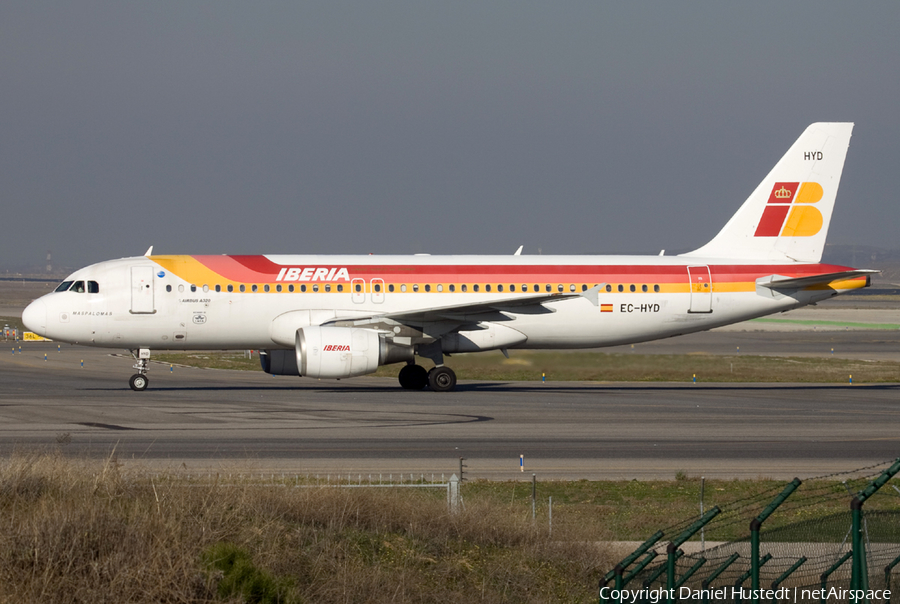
(80, 531)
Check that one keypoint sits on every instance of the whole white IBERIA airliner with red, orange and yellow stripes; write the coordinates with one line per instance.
(344, 316)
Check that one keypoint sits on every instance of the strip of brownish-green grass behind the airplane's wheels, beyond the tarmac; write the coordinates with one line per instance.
(600, 366)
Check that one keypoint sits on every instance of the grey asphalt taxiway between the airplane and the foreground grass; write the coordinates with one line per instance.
(241, 421)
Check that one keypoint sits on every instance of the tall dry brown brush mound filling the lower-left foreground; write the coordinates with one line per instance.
(74, 531)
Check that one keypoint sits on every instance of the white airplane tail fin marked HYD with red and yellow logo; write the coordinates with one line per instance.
(786, 218)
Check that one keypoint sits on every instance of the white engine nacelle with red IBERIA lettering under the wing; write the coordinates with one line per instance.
(339, 352)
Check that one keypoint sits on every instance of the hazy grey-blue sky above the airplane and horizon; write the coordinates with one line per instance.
(453, 127)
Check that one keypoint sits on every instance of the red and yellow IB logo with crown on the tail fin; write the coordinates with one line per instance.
(789, 211)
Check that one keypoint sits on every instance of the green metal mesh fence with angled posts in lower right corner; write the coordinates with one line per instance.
(793, 551)
